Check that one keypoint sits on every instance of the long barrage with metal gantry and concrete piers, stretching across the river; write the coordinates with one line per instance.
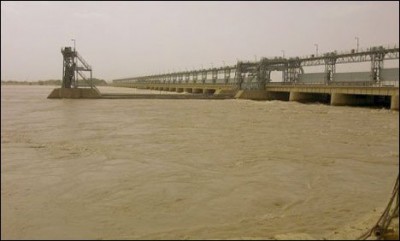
(252, 79)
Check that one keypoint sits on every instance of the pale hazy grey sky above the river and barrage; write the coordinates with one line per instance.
(126, 39)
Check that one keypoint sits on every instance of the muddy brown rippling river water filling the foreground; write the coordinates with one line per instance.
(188, 169)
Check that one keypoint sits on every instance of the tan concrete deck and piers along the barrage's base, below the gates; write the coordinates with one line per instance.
(336, 95)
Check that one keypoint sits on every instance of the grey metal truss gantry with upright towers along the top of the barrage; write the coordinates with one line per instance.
(291, 68)
